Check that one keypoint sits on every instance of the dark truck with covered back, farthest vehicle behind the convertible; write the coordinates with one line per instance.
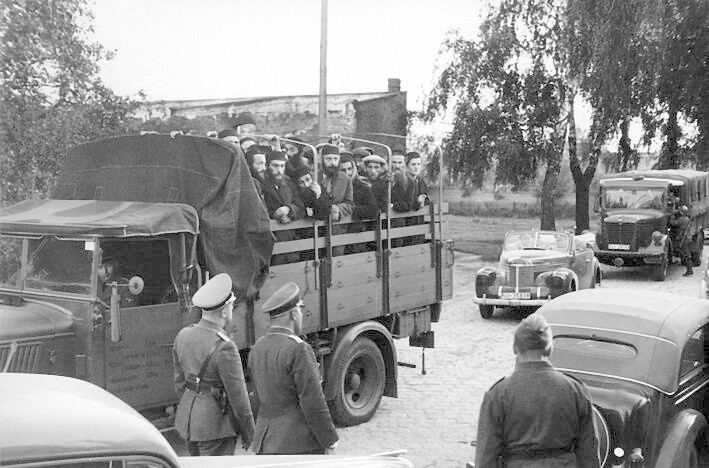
(635, 210)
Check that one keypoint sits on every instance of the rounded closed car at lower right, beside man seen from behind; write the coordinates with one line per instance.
(644, 357)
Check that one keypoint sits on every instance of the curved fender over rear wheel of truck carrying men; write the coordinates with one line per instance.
(381, 336)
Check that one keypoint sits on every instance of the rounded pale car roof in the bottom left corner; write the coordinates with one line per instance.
(48, 417)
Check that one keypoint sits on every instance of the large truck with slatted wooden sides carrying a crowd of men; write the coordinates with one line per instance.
(177, 209)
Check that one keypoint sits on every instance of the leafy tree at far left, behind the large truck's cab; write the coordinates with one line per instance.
(51, 97)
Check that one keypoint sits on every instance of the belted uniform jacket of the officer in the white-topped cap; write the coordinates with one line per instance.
(199, 417)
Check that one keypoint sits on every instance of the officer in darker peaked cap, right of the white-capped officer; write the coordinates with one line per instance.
(293, 417)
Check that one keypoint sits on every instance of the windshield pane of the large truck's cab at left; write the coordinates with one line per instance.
(59, 265)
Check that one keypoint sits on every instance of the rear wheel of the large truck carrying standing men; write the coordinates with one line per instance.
(361, 376)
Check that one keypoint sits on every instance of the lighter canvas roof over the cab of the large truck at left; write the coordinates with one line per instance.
(98, 218)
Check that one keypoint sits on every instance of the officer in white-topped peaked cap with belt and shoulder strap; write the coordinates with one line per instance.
(214, 406)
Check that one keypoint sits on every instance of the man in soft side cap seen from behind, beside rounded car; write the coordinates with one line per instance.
(537, 417)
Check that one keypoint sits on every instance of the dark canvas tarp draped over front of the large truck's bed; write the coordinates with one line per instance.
(208, 174)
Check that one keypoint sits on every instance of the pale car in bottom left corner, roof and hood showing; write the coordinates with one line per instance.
(62, 422)
